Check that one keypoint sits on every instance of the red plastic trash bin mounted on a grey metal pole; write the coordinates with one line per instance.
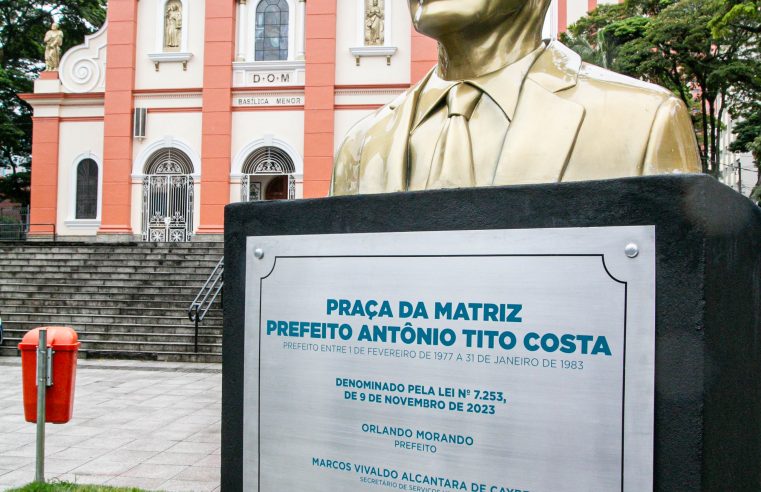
(59, 400)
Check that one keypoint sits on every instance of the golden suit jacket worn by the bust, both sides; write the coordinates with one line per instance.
(573, 122)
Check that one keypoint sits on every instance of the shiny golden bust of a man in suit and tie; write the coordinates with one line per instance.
(503, 107)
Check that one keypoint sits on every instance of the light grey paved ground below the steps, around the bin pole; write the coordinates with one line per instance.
(152, 425)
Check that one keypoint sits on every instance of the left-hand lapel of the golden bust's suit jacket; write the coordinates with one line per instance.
(384, 160)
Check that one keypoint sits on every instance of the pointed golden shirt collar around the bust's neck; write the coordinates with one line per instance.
(503, 86)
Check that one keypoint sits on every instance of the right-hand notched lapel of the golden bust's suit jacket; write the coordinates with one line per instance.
(544, 130)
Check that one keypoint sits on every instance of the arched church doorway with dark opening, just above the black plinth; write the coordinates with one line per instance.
(268, 175)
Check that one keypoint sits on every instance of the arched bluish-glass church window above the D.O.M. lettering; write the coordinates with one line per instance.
(271, 30)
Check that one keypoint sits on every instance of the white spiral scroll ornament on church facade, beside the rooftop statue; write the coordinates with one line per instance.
(83, 68)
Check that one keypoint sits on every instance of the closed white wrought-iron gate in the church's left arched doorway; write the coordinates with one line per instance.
(167, 208)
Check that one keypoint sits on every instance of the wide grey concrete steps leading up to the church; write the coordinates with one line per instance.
(126, 300)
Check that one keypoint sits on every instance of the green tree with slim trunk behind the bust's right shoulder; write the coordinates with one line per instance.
(674, 43)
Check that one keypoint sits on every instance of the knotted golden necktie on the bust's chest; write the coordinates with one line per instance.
(452, 165)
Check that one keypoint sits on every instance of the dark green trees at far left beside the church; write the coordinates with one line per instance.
(23, 24)
